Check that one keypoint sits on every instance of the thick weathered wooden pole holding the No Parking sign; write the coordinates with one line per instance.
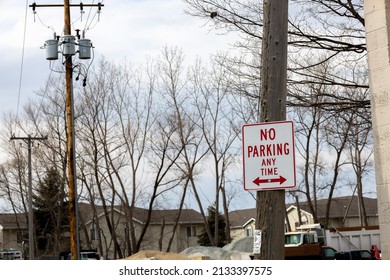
(270, 205)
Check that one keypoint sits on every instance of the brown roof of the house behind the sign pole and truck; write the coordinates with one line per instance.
(338, 208)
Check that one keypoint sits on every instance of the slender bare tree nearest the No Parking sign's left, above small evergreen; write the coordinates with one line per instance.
(220, 131)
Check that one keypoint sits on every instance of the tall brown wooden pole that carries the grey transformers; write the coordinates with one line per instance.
(70, 142)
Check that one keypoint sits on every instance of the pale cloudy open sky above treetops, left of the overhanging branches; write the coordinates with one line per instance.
(125, 29)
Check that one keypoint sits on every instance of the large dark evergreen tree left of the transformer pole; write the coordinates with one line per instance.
(50, 212)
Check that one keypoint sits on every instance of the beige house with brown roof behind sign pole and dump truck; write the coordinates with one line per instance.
(344, 212)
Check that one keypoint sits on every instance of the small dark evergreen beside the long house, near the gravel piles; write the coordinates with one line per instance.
(203, 239)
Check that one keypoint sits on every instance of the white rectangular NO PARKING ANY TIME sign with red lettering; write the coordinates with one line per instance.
(269, 156)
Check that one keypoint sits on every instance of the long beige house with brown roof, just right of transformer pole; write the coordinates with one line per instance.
(164, 229)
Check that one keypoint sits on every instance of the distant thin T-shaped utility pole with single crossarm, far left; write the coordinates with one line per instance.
(31, 245)
